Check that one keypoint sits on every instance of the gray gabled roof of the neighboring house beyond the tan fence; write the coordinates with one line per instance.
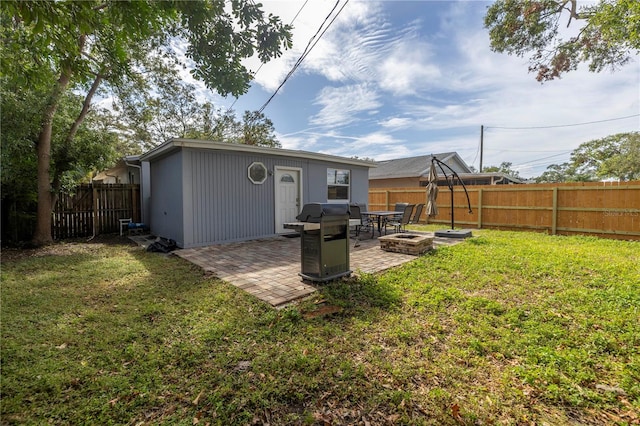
(416, 166)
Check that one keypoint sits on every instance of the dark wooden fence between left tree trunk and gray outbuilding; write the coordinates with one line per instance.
(95, 209)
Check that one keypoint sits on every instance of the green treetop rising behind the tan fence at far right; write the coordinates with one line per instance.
(613, 157)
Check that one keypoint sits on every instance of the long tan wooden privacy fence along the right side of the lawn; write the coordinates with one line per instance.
(605, 209)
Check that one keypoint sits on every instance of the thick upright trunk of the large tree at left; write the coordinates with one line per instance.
(42, 233)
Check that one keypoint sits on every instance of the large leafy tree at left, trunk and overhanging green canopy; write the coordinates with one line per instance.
(88, 46)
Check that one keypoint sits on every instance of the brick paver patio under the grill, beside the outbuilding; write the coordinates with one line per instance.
(269, 268)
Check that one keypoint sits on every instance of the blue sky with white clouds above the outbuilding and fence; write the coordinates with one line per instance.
(395, 79)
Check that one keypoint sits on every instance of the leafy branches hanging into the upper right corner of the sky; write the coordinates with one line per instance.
(608, 33)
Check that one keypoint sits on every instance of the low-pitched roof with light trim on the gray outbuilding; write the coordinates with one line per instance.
(175, 144)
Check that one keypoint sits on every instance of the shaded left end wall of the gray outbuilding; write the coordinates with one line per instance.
(166, 215)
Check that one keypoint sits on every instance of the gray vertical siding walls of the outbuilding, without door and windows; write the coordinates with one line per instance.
(218, 202)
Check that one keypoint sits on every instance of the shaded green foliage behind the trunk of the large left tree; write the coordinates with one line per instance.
(97, 144)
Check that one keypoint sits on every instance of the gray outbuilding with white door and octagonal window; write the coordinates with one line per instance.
(202, 192)
